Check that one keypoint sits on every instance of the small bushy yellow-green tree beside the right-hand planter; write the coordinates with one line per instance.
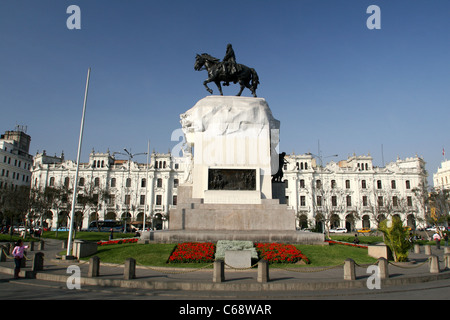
(396, 238)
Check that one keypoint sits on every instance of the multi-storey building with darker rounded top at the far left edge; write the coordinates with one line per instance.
(15, 161)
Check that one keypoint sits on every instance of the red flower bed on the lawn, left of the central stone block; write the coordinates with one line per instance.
(193, 252)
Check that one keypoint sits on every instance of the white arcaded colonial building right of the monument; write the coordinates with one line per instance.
(353, 193)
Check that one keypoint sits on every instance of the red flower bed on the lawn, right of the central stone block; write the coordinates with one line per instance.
(280, 253)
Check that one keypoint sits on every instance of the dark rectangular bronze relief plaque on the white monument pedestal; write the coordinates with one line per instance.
(232, 179)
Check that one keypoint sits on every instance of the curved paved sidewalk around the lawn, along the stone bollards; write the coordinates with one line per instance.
(157, 278)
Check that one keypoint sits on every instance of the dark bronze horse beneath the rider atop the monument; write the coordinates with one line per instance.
(247, 77)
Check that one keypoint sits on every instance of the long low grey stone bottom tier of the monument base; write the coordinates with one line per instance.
(293, 237)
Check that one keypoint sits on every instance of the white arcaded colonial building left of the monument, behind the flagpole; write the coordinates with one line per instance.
(123, 189)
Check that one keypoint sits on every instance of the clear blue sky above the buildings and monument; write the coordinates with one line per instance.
(325, 75)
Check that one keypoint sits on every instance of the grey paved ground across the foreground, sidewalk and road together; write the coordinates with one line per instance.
(167, 283)
